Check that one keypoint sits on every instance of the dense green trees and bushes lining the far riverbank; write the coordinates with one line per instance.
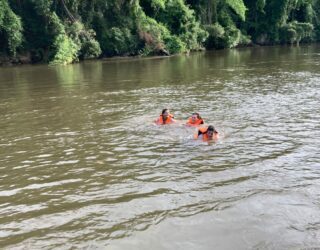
(65, 31)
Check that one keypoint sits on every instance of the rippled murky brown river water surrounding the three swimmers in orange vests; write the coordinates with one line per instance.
(82, 166)
